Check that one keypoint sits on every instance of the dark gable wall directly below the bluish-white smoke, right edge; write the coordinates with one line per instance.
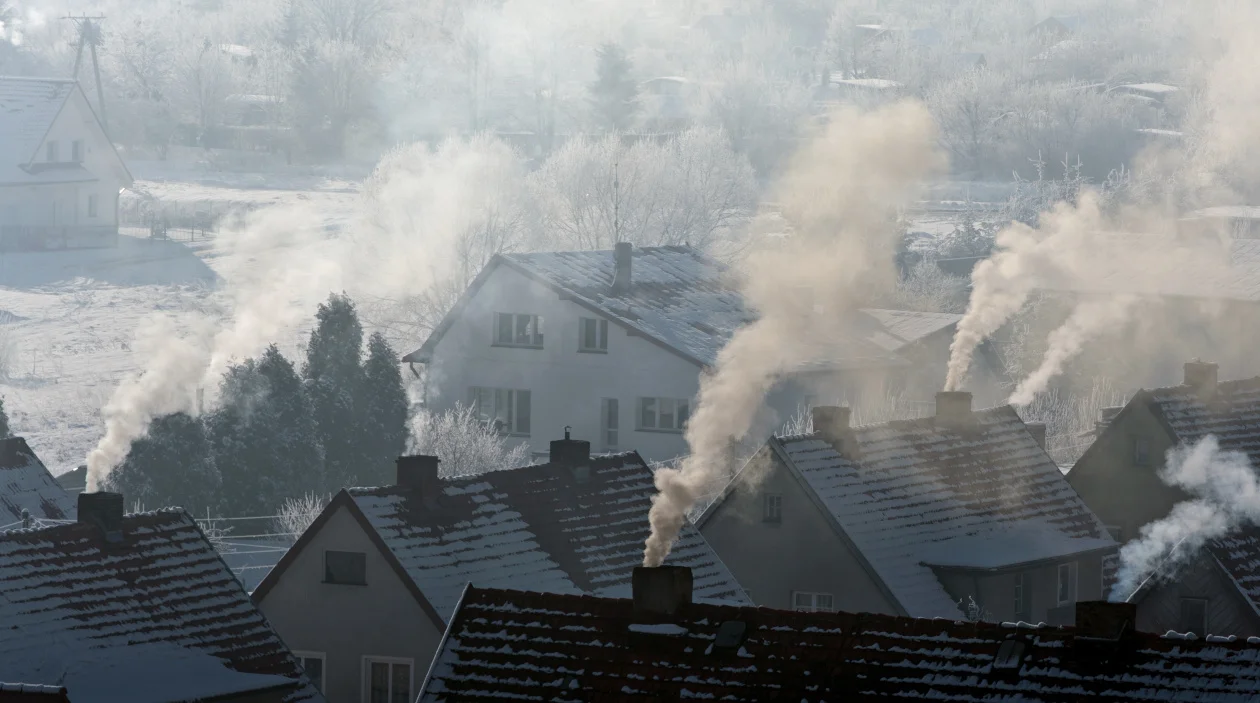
(1160, 610)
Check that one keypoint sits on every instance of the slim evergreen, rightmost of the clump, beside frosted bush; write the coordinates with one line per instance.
(384, 415)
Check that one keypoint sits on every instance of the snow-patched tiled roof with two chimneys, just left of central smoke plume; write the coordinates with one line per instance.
(540, 529)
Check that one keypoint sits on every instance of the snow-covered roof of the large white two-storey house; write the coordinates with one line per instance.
(689, 303)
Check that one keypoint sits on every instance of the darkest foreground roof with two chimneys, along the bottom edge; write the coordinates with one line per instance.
(660, 646)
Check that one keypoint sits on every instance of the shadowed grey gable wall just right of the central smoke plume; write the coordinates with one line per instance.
(799, 554)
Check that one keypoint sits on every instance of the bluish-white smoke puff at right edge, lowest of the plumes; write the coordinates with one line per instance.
(1227, 497)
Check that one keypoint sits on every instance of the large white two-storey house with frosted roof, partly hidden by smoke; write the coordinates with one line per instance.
(614, 343)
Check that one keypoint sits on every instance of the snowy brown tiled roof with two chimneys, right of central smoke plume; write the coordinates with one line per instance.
(986, 496)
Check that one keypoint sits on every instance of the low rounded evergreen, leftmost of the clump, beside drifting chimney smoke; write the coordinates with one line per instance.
(172, 466)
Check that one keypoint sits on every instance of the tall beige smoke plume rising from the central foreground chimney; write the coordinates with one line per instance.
(840, 197)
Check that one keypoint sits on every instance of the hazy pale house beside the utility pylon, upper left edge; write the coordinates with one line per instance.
(60, 174)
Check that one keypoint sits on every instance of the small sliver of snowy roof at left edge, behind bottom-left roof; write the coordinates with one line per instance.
(26, 484)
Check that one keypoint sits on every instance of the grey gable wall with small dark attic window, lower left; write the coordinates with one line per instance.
(348, 623)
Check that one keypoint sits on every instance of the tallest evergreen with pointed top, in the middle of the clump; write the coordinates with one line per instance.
(335, 384)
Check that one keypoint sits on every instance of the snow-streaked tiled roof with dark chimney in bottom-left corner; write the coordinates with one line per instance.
(135, 608)
